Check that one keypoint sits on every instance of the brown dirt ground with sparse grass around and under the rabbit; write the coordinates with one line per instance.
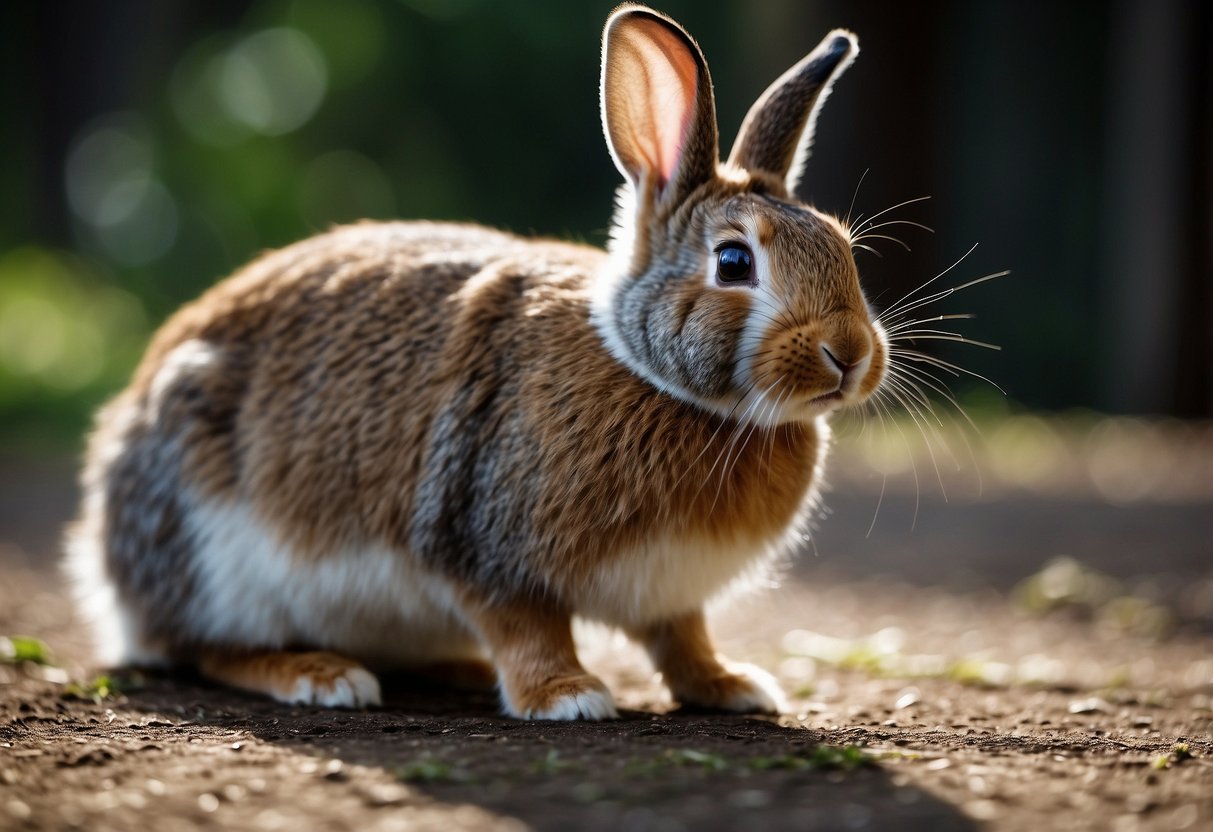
(931, 688)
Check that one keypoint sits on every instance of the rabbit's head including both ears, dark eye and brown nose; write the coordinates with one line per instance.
(724, 289)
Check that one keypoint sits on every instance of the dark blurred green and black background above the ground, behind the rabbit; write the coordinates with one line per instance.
(151, 149)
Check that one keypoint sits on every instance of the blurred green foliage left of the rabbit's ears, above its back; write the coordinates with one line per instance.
(293, 117)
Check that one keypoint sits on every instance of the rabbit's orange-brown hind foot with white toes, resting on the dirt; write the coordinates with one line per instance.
(307, 679)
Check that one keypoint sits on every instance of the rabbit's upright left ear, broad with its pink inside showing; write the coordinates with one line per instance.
(658, 107)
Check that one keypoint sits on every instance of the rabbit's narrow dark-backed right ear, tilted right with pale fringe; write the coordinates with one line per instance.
(778, 130)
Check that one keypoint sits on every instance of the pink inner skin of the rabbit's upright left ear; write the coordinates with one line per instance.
(673, 78)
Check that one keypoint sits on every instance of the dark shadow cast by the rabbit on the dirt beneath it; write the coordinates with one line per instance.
(643, 772)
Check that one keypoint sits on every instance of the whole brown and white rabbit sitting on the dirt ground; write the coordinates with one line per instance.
(414, 445)
